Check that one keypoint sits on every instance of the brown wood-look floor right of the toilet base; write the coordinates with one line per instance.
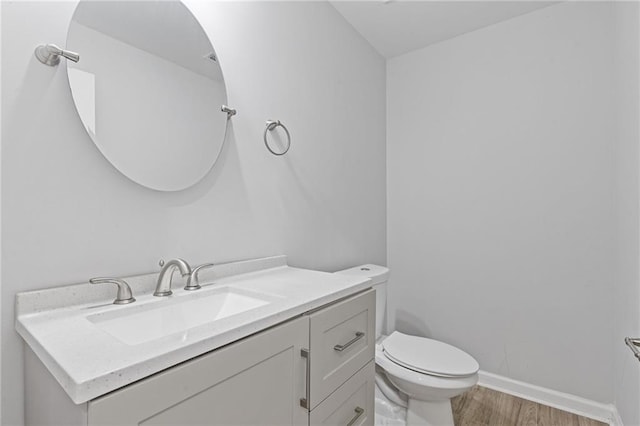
(482, 406)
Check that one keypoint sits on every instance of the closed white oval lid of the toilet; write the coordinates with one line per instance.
(428, 356)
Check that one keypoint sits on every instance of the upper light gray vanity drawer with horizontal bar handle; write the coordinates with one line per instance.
(342, 341)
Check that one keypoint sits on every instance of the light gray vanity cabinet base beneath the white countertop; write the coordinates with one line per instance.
(317, 368)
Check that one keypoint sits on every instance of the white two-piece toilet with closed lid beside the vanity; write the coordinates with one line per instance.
(415, 372)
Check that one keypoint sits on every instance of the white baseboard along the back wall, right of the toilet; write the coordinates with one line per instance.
(574, 404)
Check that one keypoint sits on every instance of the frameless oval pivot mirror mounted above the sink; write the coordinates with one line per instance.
(148, 89)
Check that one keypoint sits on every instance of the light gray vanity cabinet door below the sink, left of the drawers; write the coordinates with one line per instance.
(258, 380)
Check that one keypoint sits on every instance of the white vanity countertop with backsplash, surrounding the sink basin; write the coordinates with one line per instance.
(89, 362)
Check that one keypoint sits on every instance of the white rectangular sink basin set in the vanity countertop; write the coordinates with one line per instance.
(139, 324)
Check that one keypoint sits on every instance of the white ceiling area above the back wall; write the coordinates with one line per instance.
(397, 27)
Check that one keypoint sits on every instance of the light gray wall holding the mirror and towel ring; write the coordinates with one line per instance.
(68, 215)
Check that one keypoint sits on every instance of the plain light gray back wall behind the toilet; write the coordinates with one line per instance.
(501, 192)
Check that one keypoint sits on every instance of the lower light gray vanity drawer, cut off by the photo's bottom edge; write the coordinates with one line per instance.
(351, 404)
